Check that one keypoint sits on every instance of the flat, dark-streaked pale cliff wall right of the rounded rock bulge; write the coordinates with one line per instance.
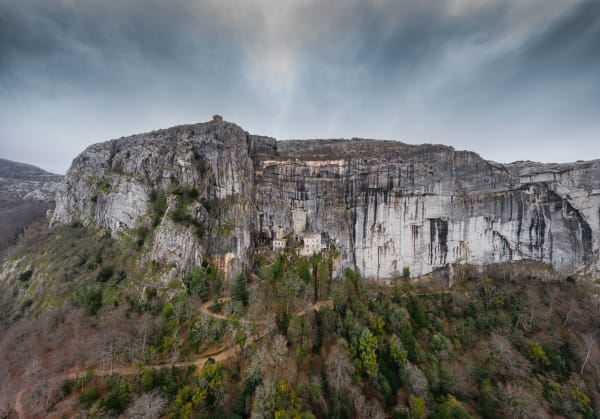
(391, 205)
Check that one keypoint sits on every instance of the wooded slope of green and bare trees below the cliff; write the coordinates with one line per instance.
(96, 335)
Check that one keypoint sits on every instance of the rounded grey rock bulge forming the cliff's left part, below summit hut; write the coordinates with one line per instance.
(113, 185)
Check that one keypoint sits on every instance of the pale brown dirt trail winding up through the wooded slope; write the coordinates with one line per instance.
(220, 355)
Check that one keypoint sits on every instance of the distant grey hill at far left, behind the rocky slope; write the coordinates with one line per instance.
(26, 194)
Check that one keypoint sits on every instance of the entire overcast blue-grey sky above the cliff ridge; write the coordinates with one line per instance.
(509, 79)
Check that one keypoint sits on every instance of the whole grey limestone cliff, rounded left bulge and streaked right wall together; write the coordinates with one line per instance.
(383, 204)
